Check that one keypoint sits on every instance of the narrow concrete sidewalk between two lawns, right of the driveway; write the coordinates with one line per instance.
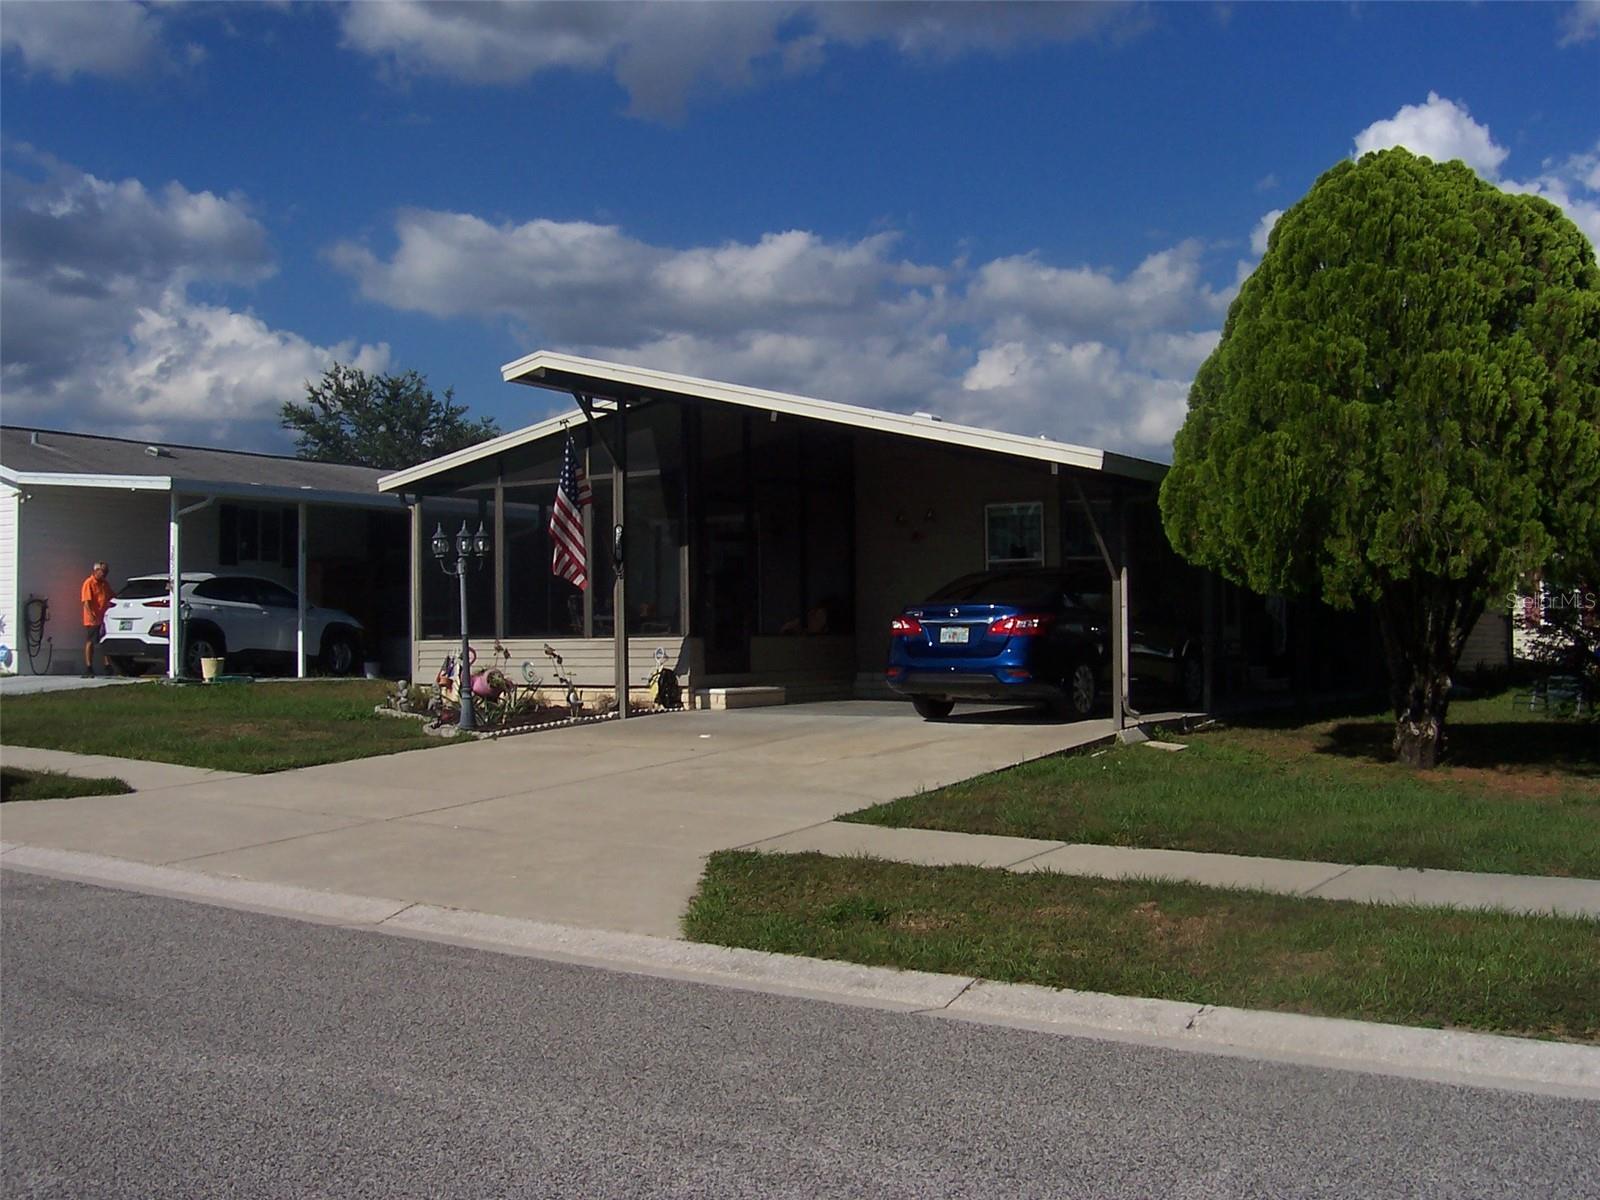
(1326, 881)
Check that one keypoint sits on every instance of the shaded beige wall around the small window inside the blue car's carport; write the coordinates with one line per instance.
(921, 524)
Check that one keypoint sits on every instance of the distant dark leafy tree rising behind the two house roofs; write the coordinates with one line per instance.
(380, 420)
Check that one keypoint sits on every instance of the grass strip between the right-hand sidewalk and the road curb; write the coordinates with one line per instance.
(1518, 975)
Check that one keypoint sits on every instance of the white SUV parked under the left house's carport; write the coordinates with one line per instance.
(234, 617)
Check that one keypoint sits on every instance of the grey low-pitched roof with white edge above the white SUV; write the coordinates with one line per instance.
(57, 458)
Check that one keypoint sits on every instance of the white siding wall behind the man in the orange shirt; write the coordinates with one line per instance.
(62, 534)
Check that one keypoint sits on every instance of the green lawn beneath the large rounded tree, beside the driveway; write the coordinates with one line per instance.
(1521, 794)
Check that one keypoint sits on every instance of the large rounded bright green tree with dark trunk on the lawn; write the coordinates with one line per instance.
(1404, 409)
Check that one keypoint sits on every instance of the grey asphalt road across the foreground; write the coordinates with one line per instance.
(162, 1049)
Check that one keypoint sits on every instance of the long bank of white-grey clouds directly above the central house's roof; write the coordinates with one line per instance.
(1015, 343)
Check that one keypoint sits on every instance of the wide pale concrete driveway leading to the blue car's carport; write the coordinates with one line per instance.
(604, 826)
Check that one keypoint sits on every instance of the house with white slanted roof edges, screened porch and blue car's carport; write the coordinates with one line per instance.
(770, 538)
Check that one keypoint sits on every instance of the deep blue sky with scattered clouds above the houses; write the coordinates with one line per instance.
(1023, 217)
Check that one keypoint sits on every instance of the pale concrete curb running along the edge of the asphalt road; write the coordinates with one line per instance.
(1452, 1057)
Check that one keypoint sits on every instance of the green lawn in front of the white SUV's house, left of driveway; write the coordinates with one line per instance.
(258, 727)
